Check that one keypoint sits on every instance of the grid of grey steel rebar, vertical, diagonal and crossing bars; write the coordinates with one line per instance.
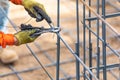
(89, 71)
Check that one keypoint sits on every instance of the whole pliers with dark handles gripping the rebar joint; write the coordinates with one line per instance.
(41, 30)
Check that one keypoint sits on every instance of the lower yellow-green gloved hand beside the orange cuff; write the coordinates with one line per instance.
(24, 37)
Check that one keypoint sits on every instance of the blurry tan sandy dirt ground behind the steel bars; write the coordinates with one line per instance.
(44, 47)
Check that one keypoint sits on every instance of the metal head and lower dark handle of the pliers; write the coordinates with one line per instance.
(39, 30)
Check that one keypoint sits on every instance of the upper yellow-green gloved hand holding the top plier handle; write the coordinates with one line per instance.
(29, 6)
